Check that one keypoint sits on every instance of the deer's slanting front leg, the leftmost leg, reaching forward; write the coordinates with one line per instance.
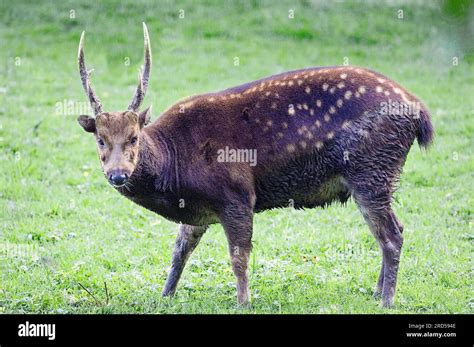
(187, 240)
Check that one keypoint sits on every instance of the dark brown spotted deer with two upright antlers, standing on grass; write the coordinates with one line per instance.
(320, 135)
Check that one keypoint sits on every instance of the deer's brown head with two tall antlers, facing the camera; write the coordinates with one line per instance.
(117, 133)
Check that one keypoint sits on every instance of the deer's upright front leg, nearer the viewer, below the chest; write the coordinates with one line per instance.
(237, 224)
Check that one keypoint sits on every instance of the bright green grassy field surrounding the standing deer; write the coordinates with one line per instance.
(63, 226)
